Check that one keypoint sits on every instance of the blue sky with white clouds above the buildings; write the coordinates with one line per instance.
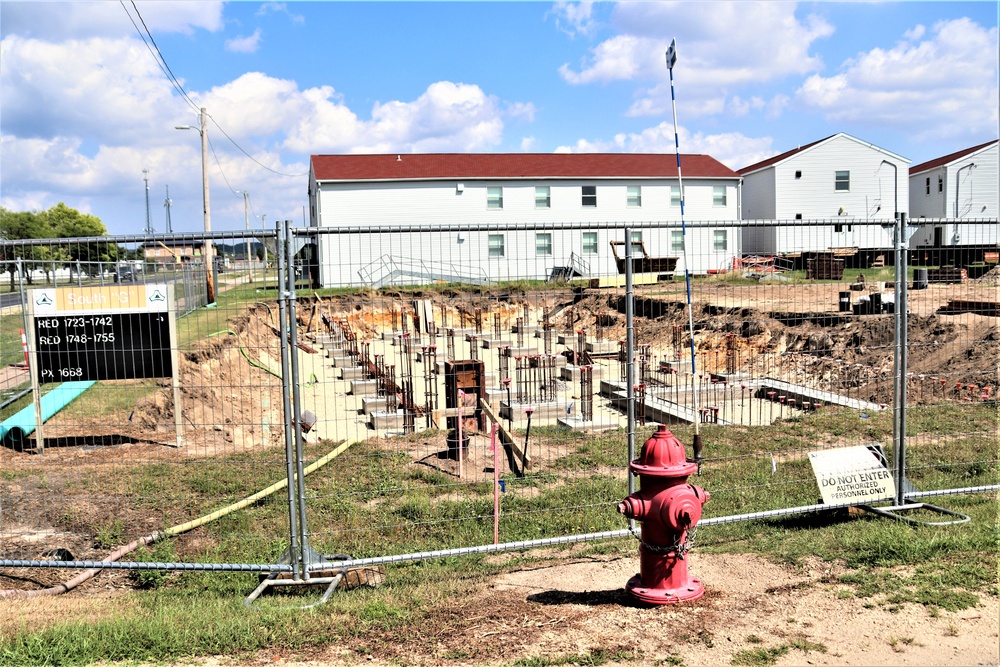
(84, 106)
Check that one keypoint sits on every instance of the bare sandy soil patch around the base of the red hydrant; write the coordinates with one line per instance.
(581, 609)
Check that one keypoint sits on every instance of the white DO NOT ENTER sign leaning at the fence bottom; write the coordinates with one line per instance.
(851, 475)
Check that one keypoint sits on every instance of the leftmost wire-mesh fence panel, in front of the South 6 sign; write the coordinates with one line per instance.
(117, 464)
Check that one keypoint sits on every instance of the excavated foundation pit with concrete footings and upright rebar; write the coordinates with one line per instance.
(448, 364)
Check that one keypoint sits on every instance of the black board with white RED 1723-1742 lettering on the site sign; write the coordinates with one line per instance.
(103, 346)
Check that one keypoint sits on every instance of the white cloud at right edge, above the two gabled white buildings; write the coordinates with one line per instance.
(944, 86)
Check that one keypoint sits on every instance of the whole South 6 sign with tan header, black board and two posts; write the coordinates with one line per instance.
(119, 332)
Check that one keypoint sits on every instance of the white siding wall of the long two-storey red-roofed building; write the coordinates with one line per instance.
(436, 203)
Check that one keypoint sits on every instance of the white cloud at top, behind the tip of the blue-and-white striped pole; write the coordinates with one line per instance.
(708, 74)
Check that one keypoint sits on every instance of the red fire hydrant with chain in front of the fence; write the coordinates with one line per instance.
(668, 507)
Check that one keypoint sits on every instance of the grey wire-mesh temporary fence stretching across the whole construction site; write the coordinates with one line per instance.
(465, 385)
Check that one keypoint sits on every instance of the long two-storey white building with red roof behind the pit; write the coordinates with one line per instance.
(503, 211)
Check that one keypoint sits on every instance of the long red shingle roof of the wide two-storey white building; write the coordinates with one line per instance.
(433, 166)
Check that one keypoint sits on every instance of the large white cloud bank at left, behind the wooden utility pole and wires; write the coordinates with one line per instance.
(82, 131)
